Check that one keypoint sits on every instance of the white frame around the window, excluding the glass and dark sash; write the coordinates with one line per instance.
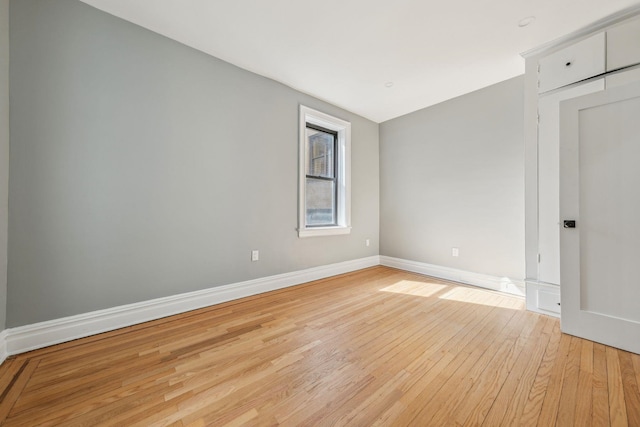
(343, 173)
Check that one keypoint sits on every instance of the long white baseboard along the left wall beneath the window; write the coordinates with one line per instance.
(43, 334)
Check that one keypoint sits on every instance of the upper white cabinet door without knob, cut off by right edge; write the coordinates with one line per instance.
(623, 45)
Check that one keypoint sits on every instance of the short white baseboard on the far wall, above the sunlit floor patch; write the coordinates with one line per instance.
(502, 284)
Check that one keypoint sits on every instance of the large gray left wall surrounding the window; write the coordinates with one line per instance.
(141, 168)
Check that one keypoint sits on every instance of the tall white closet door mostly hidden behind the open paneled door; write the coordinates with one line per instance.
(549, 178)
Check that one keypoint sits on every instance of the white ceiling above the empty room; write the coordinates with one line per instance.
(345, 51)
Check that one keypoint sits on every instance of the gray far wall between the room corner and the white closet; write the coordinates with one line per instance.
(452, 176)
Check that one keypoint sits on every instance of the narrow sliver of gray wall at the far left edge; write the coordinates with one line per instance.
(4, 153)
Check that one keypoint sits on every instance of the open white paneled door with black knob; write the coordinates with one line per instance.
(600, 190)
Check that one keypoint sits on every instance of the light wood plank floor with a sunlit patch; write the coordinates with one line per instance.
(375, 347)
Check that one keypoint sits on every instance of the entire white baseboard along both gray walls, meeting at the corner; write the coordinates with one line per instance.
(43, 334)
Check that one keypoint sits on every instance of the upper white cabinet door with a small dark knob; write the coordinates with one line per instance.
(572, 64)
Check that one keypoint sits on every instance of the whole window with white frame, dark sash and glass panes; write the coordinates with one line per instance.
(324, 205)
